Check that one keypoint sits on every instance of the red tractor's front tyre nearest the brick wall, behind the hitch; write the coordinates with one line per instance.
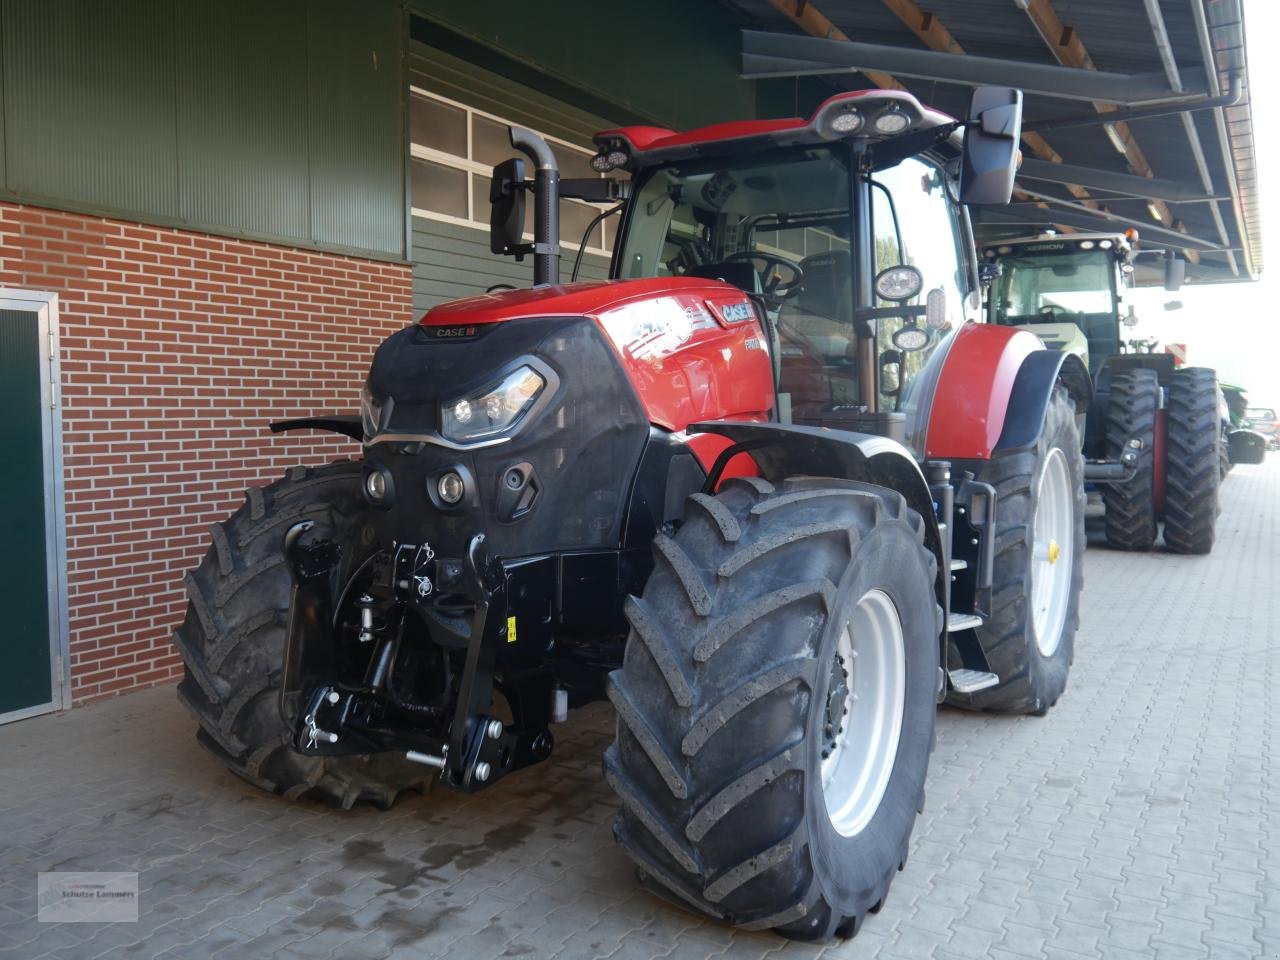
(232, 643)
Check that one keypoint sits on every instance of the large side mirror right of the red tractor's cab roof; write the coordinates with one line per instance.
(991, 145)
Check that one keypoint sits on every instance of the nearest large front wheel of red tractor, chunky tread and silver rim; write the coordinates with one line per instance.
(776, 705)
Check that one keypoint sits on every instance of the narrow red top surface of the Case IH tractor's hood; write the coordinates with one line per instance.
(587, 299)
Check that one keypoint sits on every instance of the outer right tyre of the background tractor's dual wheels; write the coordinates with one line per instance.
(1192, 474)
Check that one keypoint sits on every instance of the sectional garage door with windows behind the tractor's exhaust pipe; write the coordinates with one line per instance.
(459, 117)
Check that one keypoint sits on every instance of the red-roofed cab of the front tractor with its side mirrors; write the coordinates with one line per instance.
(847, 232)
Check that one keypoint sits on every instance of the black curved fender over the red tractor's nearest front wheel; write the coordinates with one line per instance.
(784, 450)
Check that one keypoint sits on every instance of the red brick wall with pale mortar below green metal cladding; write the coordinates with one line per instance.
(177, 349)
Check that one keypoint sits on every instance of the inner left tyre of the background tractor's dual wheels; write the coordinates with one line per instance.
(1131, 508)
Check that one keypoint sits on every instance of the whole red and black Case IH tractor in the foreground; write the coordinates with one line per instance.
(770, 491)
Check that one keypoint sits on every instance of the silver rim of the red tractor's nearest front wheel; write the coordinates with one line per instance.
(860, 755)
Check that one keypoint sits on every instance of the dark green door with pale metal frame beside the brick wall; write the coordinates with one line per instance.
(33, 575)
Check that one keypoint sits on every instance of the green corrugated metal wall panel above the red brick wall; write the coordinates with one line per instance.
(280, 121)
